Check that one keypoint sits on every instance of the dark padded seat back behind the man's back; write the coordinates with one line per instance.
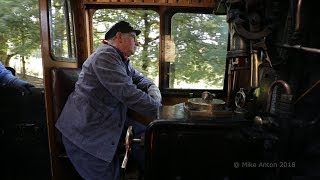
(63, 83)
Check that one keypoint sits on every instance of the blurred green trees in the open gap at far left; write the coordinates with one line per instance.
(19, 29)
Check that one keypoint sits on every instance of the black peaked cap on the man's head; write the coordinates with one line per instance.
(121, 26)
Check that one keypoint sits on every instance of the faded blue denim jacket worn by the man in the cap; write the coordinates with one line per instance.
(94, 115)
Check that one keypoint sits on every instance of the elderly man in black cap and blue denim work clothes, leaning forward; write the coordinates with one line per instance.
(95, 114)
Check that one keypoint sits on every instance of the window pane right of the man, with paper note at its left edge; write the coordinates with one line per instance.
(196, 51)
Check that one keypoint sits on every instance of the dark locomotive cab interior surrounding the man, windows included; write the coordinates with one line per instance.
(253, 112)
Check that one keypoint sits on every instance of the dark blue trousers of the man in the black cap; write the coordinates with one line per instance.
(92, 168)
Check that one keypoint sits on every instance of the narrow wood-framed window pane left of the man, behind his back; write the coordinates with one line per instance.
(61, 31)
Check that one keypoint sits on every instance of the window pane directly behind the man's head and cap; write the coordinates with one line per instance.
(146, 58)
